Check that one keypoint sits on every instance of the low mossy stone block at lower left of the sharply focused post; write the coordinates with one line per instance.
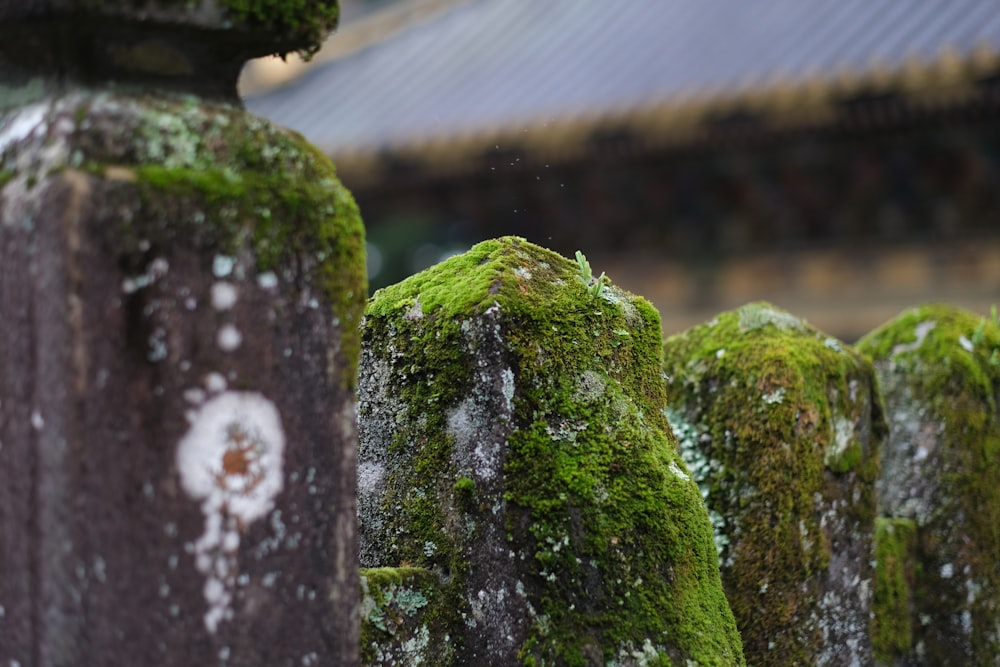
(404, 619)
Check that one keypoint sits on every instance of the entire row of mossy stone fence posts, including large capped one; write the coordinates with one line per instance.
(529, 474)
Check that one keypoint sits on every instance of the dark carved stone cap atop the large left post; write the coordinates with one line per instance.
(195, 46)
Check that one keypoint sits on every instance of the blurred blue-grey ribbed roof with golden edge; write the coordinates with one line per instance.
(460, 76)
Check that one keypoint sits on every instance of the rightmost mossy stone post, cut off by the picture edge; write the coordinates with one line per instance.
(939, 368)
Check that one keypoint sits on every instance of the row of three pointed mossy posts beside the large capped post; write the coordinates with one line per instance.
(542, 480)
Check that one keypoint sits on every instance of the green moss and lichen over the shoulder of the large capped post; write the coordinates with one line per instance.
(223, 177)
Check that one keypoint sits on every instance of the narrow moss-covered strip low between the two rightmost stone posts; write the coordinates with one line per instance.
(895, 549)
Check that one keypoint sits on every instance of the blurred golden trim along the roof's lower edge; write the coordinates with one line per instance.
(948, 80)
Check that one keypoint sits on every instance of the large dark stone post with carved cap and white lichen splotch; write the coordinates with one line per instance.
(182, 284)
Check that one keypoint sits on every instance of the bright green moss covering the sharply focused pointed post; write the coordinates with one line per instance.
(582, 492)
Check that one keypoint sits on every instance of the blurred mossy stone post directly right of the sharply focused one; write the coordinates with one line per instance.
(780, 426)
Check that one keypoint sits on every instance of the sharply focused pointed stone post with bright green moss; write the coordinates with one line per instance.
(513, 444)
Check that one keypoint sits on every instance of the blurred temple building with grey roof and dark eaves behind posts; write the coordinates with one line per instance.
(840, 158)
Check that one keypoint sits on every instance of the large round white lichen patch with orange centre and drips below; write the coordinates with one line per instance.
(231, 460)
